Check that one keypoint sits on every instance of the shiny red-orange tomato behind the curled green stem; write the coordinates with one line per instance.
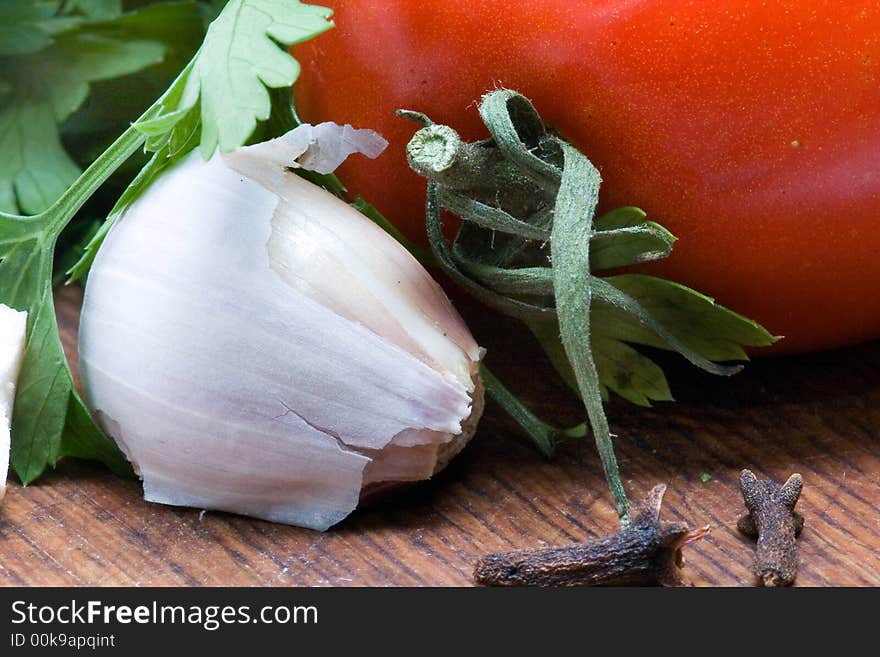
(750, 129)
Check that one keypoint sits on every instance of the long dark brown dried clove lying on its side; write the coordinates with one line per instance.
(648, 552)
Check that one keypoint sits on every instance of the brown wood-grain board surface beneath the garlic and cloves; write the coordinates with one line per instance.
(817, 415)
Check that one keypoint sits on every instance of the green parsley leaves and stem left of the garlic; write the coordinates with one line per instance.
(51, 419)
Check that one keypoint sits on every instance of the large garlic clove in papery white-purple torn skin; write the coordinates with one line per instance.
(256, 345)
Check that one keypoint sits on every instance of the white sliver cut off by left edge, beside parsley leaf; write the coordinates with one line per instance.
(12, 342)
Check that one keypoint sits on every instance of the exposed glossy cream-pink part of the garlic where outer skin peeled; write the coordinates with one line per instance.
(313, 244)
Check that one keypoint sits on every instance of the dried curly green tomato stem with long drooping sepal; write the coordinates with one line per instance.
(515, 193)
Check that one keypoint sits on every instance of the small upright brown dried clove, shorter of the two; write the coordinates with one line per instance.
(776, 524)
